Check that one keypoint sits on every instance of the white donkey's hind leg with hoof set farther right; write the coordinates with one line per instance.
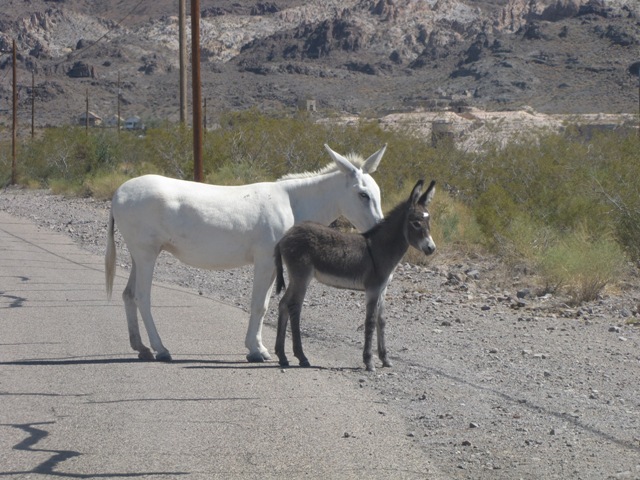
(144, 276)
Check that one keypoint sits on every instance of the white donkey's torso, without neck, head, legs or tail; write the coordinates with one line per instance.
(206, 226)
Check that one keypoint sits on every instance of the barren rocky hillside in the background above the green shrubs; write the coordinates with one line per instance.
(356, 56)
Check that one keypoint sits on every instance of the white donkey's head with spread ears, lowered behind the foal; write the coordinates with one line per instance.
(361, 201)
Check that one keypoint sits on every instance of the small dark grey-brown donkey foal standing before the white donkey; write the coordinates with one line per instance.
(353, 261)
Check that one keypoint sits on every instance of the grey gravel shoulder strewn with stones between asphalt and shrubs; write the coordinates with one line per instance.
(492, 386)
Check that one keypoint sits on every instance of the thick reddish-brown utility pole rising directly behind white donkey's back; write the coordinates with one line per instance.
(196, 91)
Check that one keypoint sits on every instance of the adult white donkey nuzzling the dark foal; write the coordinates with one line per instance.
(220, 227)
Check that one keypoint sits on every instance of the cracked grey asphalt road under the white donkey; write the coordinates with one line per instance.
(75, 402)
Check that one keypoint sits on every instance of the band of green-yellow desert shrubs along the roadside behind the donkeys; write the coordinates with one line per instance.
(560, 205)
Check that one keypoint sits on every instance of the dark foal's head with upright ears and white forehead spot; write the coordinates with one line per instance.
(418, 230)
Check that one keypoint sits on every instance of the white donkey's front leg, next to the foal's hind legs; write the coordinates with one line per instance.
(263, 277)
